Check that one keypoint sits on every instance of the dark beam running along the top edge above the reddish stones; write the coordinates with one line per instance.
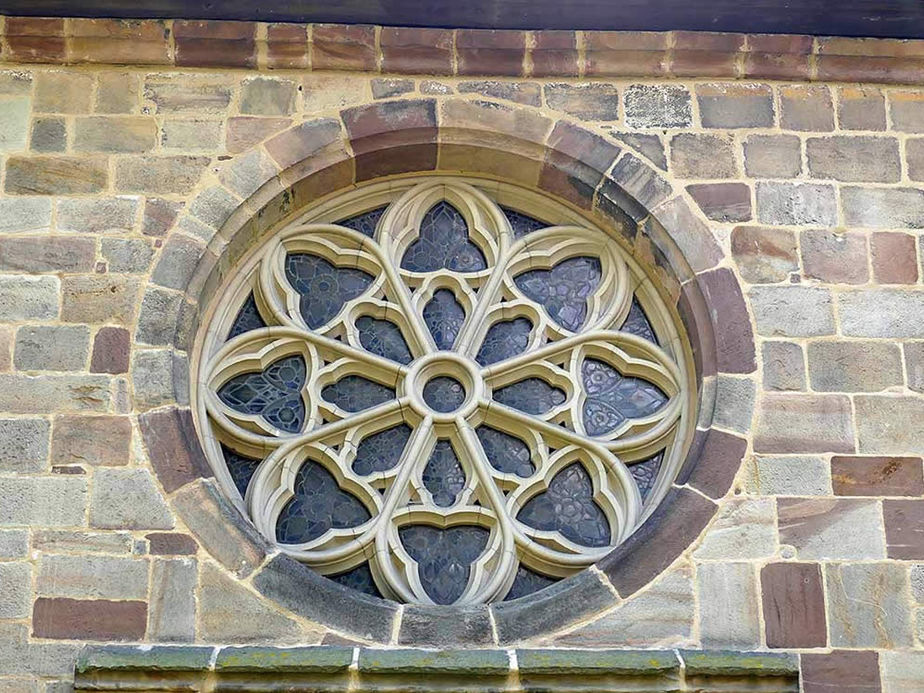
(881, 18)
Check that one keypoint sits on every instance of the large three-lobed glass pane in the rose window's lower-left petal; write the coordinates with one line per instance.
(319, 504)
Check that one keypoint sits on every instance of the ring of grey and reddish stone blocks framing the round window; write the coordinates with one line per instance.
(262, 187)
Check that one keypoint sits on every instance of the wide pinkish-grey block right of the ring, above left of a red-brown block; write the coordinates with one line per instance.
(789, 423)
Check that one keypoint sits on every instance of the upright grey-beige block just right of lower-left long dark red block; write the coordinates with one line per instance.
(172, 608)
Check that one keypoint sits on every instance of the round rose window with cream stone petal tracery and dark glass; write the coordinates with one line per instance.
(443, 391)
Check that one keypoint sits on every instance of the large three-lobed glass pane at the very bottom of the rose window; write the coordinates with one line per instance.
(444, 557)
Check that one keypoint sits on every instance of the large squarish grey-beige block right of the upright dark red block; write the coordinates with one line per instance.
(867, 605)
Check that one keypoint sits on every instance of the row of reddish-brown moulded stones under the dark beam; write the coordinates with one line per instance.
(469, 52)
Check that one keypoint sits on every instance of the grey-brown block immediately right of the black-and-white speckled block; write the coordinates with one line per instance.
(735, 105)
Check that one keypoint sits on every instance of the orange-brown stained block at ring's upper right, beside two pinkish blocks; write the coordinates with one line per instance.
(764, 255)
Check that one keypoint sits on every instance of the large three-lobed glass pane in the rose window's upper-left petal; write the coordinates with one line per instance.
(323, 287)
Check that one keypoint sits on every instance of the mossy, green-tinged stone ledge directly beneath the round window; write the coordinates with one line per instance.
(334, 668)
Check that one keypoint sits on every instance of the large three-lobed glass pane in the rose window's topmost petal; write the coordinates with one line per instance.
(443, 243)
